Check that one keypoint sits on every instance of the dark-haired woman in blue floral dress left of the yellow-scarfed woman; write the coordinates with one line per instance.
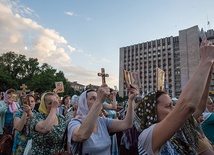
(22, 120)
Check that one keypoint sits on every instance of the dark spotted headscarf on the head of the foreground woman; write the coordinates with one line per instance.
(147, 110)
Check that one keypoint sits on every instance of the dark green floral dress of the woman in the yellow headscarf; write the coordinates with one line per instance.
(46, 144)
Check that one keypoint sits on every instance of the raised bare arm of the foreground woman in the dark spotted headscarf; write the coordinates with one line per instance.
(188, 100)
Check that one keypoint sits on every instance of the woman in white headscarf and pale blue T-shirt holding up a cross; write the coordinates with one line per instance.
(93, 129)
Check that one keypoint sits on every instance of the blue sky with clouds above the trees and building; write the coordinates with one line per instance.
(79, 37)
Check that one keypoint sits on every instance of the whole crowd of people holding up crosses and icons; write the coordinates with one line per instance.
(91, 124)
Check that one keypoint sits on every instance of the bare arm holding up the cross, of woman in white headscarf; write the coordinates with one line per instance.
(84, 131)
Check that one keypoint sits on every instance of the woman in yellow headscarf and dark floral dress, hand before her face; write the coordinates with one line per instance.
(47, 128)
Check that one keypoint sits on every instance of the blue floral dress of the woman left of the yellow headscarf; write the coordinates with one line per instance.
(21, 138)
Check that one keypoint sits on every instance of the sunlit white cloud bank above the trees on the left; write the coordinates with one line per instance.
(25, 36)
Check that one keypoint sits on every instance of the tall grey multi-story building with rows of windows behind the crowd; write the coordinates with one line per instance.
(178, 56)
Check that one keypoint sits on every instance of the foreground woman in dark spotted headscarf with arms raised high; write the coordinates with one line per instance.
(169, 129)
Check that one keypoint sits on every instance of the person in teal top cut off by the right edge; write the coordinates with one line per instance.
(208, 123)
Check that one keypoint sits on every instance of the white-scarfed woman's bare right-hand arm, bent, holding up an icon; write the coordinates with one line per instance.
(121, 125)
